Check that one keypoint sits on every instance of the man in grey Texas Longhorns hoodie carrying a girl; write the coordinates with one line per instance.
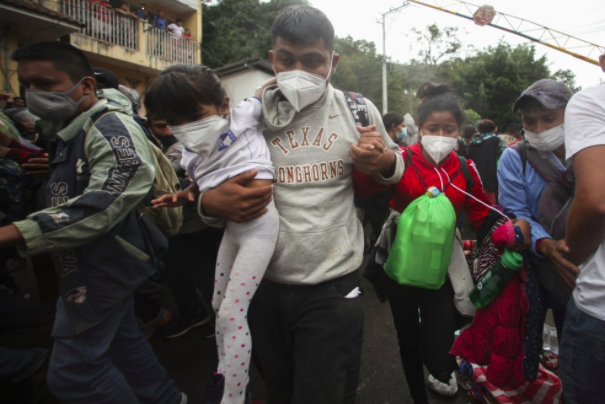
(306, 318)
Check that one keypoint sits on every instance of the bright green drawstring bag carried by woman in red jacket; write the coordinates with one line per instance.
(421, 252)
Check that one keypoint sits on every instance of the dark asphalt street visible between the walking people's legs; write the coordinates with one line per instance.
(191, 359)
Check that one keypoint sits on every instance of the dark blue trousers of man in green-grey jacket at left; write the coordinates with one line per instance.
(108, 363)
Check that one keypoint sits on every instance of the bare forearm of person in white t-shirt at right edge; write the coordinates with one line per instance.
(585, 230)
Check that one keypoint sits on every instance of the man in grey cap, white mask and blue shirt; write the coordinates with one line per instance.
(531, 174)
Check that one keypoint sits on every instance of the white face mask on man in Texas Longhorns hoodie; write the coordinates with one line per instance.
(303, 88)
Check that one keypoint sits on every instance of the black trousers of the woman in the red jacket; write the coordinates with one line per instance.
(427, 341)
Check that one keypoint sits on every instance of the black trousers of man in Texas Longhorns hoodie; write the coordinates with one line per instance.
(307, 341)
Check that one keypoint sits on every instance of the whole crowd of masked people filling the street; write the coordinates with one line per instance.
(244, 221)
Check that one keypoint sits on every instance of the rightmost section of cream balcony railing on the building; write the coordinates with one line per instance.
(166, 46)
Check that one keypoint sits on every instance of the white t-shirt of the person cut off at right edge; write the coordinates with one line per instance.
(585, 127)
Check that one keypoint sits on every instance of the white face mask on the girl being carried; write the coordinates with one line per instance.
(201, 136)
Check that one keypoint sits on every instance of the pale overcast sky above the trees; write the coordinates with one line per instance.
(584, 19)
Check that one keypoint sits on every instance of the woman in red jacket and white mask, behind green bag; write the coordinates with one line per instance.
(433, 163)
